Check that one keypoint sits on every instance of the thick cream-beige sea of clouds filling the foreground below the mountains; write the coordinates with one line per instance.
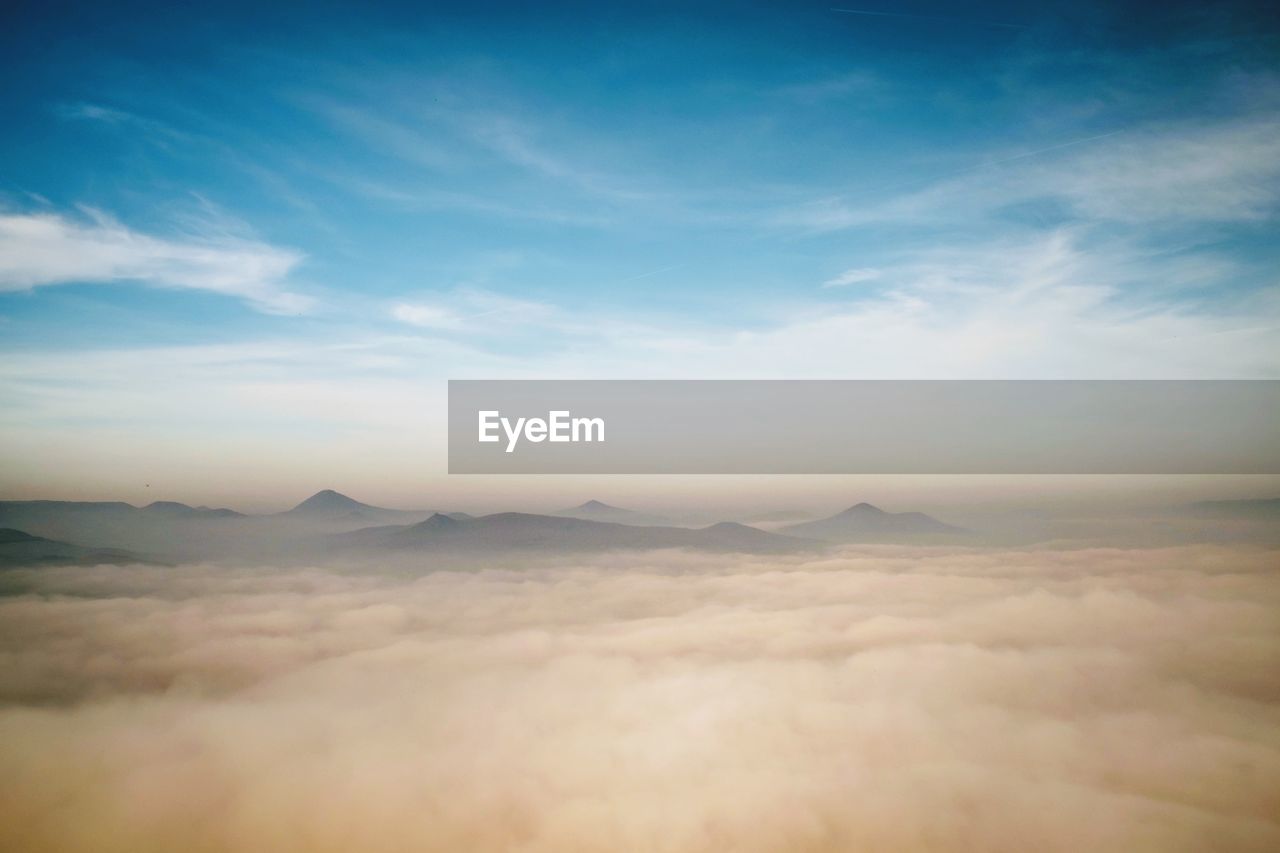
(876, 700)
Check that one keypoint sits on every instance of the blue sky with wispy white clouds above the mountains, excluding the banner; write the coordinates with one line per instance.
(244, 249)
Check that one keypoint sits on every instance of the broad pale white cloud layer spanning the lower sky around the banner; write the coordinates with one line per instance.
(368, 398)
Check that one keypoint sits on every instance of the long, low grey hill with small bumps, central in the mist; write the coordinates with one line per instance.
(525, 532)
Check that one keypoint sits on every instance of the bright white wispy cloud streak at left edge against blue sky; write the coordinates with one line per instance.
(39, 250)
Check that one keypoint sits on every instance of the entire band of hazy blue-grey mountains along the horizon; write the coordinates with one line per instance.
(332, 526)
